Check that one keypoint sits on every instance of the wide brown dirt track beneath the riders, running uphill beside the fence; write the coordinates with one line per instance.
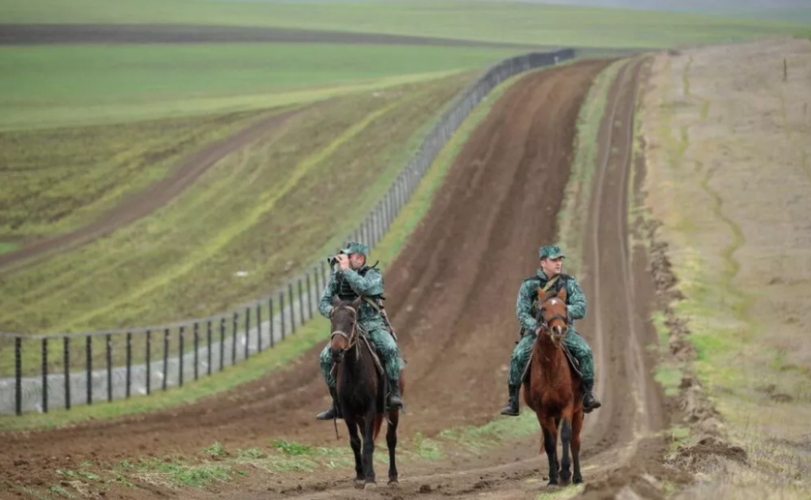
(452, 297)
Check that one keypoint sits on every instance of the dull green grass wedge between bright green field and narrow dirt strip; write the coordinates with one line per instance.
(57, 180)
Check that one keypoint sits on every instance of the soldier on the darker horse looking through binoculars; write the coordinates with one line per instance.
(354, 279)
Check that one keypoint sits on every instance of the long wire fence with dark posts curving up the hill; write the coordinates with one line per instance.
(39, 373)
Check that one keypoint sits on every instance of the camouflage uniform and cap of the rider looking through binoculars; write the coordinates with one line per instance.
(348, 284)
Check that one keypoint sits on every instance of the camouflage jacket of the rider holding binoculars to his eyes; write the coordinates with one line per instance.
(348, 284)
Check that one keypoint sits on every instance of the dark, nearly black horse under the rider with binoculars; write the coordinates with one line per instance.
(361, 392)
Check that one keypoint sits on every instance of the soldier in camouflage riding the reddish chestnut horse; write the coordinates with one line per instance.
(549, 278)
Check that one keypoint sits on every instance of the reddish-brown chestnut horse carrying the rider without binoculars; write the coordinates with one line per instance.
(553, 389)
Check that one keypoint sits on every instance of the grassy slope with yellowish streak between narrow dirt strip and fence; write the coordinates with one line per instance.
(267, 210)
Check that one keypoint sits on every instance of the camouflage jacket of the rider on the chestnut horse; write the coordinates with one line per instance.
(526, 306)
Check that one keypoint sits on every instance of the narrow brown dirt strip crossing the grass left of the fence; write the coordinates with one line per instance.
(145, 202)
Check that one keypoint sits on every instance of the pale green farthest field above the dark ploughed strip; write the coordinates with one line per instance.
(528, 23)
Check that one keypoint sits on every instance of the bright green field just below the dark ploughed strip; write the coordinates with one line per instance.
(46, 86)
